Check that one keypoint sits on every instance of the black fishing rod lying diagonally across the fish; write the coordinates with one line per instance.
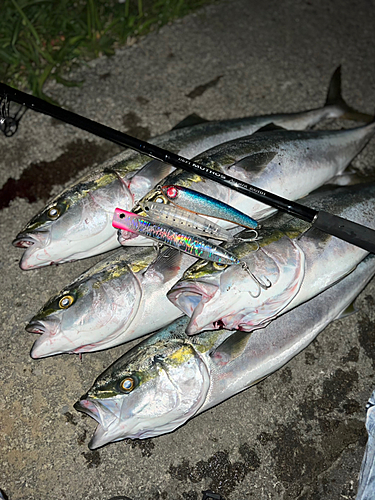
(349, 231)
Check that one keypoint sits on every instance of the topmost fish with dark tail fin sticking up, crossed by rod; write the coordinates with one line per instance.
(77, 223)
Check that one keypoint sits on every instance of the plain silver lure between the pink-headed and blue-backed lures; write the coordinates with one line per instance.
(184, 219)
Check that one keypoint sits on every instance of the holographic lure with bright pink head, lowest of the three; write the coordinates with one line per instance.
(183, 241)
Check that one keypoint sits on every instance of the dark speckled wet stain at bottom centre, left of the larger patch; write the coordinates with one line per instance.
(224, 474)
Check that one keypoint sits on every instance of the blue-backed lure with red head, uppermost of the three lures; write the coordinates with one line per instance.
(205, 205)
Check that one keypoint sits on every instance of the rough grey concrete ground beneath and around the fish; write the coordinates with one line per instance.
(297, 435)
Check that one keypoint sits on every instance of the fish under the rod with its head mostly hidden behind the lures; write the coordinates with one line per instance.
(286, 163)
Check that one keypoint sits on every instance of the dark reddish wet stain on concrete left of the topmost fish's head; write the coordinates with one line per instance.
(38, 179)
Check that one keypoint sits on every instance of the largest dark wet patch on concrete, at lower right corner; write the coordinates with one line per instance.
(299, 458)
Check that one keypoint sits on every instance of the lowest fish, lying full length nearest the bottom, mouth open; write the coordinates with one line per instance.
(164, 381)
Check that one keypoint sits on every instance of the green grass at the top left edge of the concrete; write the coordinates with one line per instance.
(42, 40)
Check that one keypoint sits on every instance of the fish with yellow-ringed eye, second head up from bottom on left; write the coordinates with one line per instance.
(120, 298)
